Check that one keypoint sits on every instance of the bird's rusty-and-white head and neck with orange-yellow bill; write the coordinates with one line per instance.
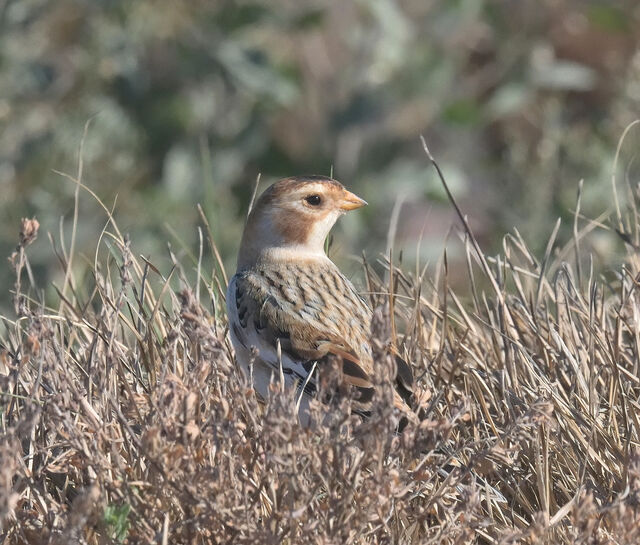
(294, 216)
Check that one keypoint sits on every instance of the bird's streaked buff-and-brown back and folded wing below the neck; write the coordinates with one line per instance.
(314, 314)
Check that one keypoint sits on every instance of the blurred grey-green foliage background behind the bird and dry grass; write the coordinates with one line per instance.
(189, 101)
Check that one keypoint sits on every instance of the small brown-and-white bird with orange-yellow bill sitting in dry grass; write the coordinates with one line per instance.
(292, 313)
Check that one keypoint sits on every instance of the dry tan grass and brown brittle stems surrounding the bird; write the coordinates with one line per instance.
(124, 420)
